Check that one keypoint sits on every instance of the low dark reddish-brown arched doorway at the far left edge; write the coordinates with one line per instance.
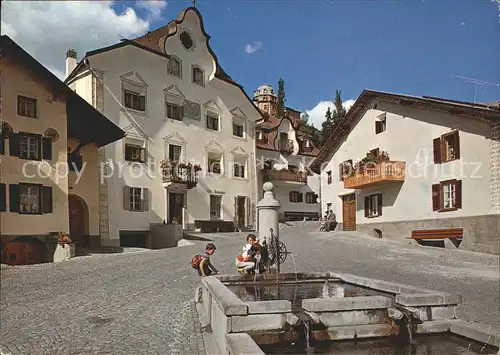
(24, 251)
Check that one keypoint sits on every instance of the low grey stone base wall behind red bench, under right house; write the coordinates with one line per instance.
(481, 233)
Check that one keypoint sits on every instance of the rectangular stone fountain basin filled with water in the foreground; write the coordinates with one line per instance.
(244, 312)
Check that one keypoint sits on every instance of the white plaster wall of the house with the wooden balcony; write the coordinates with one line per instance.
(409, 137)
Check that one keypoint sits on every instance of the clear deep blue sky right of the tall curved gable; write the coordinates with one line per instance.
(413, 47)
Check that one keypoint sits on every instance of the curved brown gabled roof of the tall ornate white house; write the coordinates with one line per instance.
(151, 43)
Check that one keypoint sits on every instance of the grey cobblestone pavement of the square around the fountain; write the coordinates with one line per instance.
(140, 303)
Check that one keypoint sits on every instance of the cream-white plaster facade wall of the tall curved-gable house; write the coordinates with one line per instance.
(154, 127)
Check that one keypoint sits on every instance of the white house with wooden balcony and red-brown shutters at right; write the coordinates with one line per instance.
(431, 170)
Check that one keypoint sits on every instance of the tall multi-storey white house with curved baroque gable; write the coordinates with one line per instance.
(182, 113)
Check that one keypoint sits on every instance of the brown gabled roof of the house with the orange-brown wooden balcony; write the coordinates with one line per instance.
(470, 110)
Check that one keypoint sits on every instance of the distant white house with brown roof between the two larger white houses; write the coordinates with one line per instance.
(284, 153)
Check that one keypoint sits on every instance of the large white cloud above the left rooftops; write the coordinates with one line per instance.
(47, 29)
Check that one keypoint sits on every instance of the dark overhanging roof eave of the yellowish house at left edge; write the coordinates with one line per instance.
(84, 122)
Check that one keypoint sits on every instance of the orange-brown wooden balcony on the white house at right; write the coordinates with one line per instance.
(384, 172)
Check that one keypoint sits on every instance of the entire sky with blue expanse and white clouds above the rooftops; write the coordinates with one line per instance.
(414, 47)
